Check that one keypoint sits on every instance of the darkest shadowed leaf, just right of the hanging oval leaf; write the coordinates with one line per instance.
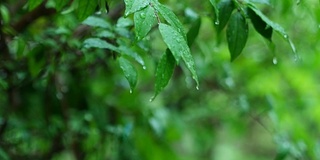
(259, 25)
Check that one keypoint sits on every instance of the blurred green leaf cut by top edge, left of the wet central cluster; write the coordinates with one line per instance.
(86, 8)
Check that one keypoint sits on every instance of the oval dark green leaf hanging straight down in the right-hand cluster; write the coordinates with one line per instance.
(237, 34)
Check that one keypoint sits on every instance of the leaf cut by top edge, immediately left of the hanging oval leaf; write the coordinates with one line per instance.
(225, 8)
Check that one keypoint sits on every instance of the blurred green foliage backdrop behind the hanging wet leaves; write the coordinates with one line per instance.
(60, 100)
